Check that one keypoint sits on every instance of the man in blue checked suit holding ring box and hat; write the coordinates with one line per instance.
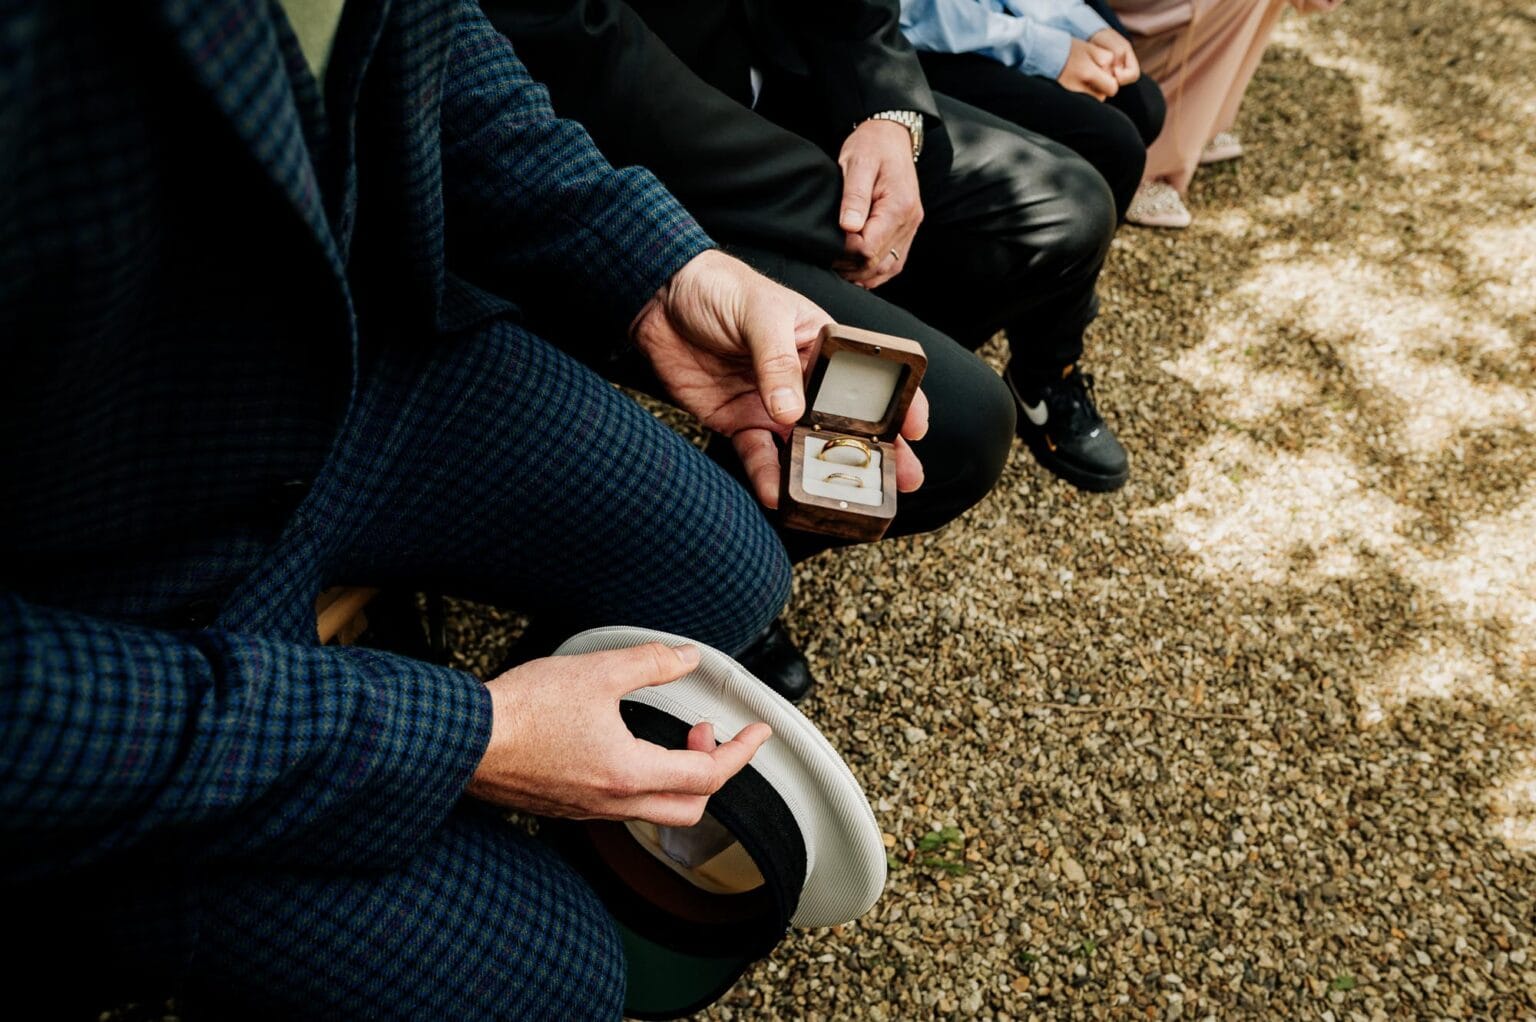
(270, 282)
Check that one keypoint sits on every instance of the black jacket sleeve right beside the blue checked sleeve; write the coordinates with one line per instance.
(744, 178)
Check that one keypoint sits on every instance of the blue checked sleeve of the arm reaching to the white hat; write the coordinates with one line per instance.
(213, 746)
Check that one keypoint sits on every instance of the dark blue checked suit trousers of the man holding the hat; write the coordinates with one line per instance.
(488, 465)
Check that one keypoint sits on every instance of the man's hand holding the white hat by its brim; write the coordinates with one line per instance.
(558, 746)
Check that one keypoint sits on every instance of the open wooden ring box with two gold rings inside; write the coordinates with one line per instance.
(839, 468)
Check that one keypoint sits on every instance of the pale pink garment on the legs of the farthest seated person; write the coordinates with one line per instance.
(1202, 55)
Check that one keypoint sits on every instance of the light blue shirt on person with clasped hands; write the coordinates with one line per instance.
(1034, 36)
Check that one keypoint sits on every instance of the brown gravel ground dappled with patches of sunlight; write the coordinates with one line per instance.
(1257, 735)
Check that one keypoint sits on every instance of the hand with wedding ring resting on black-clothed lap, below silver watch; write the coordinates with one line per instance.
(881, 207)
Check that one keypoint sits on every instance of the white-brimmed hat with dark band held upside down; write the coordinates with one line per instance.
(789, 841)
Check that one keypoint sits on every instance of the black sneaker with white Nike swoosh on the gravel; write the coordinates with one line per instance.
(1068, 436)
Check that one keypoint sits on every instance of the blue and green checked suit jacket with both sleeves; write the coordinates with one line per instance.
(185, 300)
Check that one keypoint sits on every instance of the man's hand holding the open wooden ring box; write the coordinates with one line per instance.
(732, 348)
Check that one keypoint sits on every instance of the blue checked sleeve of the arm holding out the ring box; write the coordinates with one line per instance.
(534, 210)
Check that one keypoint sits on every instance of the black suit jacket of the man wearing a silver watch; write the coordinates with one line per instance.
(664, 84)
